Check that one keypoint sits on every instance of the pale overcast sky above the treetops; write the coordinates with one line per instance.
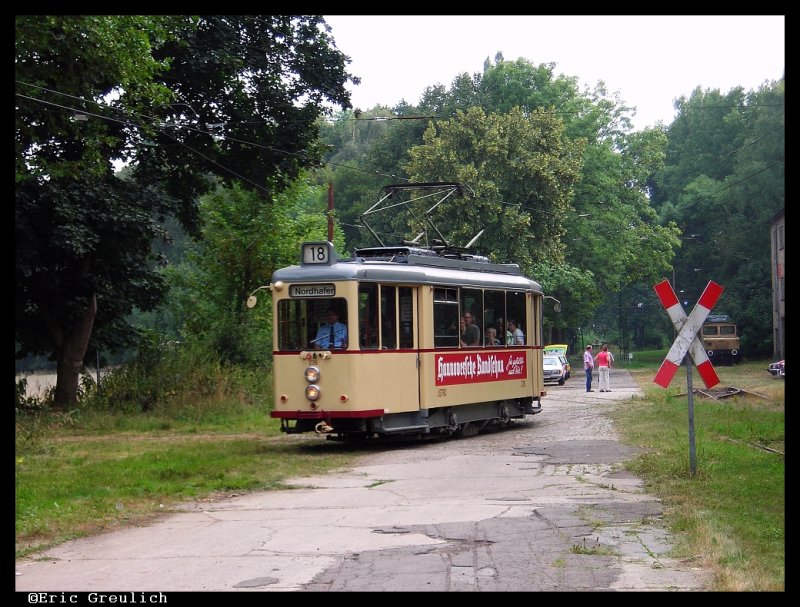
(650, 60)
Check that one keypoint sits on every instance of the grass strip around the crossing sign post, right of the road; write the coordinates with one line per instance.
(731, 515)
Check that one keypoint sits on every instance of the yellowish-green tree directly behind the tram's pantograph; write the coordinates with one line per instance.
(522, 171)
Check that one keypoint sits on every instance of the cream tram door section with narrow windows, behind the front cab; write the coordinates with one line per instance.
(387, 329)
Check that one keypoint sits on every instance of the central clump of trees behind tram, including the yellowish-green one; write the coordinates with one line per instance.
(563, 184)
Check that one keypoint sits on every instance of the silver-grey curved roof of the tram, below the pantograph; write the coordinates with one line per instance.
(417, 269)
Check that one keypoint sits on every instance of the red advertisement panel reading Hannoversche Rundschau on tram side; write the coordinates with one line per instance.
(476, 367)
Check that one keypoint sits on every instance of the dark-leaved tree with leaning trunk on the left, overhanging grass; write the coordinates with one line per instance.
(180, 98)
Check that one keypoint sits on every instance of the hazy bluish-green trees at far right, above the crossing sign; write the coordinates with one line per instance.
(723, 180)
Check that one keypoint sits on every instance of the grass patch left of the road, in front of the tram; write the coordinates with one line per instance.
(85, 472)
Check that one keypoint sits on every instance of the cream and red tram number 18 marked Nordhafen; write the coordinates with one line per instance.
(402, 369)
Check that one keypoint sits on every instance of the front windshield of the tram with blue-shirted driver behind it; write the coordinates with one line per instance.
(313, 323)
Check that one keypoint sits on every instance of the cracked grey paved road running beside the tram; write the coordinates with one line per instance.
(544, 505)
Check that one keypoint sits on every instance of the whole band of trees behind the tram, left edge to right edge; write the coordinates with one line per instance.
(220, 120)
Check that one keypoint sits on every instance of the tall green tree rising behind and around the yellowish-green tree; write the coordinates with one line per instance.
(609, 235)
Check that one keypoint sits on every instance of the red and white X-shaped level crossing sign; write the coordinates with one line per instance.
(687, 327)
